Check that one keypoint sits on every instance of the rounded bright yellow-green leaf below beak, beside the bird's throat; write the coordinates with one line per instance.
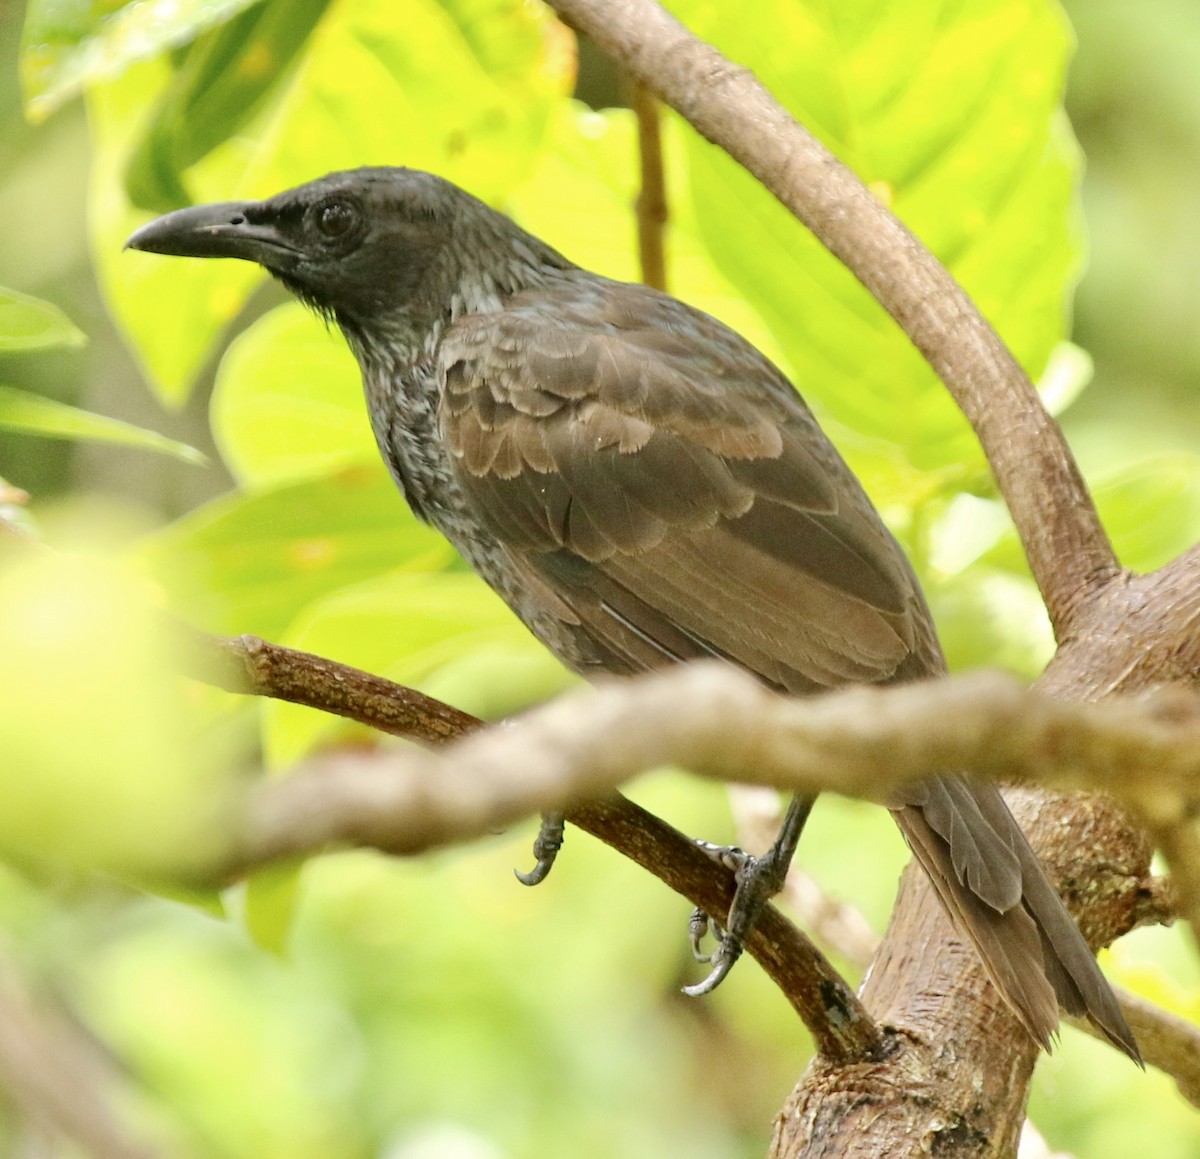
(289, 403)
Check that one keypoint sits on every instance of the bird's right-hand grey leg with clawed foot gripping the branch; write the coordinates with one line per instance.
(758, 880)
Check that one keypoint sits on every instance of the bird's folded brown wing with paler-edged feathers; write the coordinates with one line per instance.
(675, 491)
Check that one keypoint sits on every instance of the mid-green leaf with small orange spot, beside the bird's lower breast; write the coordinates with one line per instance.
(251, 563)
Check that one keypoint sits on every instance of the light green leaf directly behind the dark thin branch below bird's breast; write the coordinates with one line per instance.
(446, 634)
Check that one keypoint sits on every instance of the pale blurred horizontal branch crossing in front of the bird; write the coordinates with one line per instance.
(721, 723)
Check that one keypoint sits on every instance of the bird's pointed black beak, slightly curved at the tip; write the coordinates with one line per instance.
(227, 230)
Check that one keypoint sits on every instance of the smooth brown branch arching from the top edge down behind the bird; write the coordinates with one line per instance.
(1066, 545)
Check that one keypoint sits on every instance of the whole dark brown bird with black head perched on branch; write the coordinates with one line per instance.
(643, 487)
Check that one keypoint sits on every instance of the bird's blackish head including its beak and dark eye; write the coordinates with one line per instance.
(355, 245)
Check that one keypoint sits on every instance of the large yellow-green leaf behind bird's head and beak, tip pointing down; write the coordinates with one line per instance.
(463, 87)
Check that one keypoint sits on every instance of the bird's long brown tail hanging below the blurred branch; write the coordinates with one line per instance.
(998, 894)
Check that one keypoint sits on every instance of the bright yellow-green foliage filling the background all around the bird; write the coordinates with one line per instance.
(364, 1007)
